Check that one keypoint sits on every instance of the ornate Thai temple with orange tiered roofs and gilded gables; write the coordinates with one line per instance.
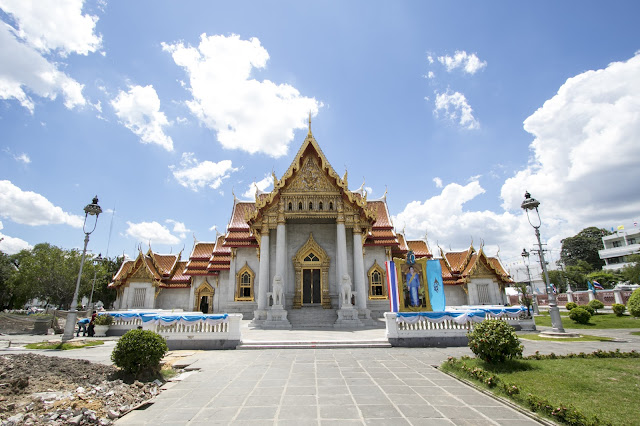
(310, 252)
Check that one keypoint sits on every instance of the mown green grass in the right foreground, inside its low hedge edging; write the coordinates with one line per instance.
(603, 387)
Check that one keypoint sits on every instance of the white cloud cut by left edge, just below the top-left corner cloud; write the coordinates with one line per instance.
(23, 70)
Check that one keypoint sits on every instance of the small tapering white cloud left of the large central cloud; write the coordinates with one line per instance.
(139, 110)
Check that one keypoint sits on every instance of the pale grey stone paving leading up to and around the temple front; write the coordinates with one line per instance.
(329, 386)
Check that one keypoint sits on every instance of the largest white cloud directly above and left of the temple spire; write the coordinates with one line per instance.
(247, 114)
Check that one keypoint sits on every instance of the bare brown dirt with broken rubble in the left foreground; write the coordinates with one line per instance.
(37, 389)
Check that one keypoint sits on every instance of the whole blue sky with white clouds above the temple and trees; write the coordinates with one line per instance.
(165, 109)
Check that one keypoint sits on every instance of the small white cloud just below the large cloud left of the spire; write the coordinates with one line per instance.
(195, 175)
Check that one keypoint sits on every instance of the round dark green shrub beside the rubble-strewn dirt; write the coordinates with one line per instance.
(139, 351)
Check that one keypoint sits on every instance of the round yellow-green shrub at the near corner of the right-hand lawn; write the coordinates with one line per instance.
(494, 341)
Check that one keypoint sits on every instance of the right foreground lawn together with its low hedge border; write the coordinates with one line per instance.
(586, 391)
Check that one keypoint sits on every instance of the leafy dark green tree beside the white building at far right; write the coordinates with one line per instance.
(584, 246)
